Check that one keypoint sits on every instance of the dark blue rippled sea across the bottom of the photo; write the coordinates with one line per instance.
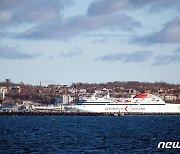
(87, 134)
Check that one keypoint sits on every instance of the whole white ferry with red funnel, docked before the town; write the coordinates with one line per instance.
(141, 103)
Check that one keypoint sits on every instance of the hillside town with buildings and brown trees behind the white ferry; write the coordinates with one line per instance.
(52, 98)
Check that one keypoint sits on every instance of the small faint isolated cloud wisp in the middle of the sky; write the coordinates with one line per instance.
(73, 53)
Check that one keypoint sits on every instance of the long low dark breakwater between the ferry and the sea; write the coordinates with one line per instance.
(82, 113)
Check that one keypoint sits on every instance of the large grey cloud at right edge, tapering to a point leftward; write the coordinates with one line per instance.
(169, 34)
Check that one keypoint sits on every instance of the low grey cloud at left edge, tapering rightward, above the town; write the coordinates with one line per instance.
(13, 54)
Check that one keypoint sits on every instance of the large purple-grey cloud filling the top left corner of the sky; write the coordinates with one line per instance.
(16, 12)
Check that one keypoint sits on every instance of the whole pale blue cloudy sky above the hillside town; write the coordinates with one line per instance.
(89, 41)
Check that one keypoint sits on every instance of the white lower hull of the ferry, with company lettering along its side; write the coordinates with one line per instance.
(167, 108)
